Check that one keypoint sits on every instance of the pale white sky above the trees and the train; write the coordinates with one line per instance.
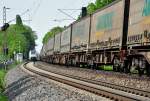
(42, 13)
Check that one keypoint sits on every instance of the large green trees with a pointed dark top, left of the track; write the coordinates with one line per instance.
(20, 38)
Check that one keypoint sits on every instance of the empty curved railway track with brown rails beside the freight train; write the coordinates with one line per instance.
(104, 90)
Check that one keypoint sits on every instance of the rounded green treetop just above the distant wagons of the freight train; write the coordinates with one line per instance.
(51, 33)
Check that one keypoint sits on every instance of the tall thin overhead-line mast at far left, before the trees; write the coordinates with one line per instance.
(5, 48)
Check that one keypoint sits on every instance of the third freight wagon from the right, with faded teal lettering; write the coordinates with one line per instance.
(80, 41)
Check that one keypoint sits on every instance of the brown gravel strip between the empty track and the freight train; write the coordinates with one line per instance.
(122, 79)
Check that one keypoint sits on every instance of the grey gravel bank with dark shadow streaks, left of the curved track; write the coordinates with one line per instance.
(23, 87)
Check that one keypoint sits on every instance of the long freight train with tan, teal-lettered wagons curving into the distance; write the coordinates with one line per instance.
(117, 35)
